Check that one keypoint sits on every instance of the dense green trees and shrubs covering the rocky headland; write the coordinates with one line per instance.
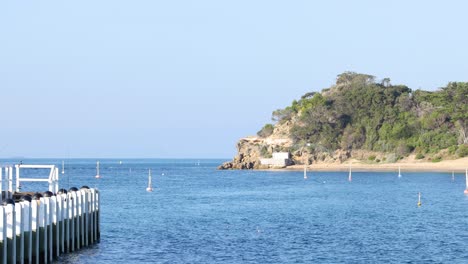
(360, 113)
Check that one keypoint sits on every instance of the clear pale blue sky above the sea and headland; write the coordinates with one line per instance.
(188, 79)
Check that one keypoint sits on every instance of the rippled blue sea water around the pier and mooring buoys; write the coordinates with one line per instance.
(197, 214)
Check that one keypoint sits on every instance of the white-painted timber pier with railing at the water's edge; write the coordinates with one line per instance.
(38, 227)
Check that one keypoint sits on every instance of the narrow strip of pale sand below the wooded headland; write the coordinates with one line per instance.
(458, 166)
